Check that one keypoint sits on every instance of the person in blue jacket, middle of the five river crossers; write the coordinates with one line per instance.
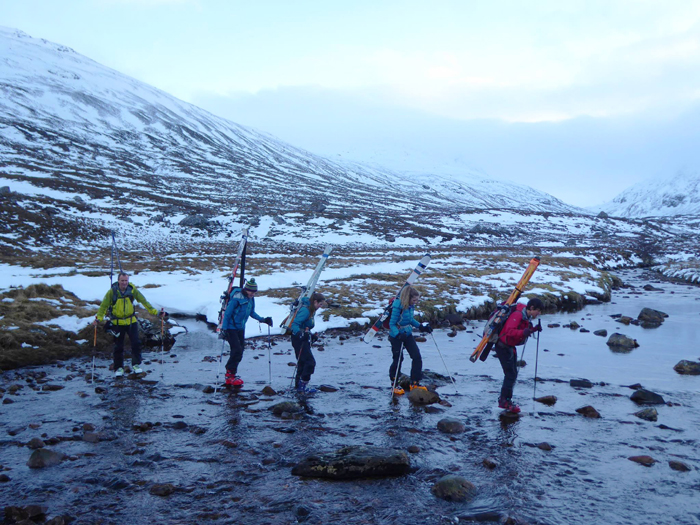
(302, 339)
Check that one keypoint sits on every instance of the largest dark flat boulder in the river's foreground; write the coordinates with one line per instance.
(355, 462)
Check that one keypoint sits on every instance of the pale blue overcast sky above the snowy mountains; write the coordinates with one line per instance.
(577, 98)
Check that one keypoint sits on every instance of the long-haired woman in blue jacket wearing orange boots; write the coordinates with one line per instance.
(401, 326)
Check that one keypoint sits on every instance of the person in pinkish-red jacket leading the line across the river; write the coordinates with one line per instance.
(515, 332)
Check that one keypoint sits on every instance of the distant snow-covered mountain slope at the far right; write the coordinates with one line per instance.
(677, 194)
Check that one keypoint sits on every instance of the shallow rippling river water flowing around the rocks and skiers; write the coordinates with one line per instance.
(231, 462)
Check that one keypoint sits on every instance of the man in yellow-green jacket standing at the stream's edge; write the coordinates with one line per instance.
(118, 303)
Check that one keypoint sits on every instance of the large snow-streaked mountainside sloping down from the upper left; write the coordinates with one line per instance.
(72, 127)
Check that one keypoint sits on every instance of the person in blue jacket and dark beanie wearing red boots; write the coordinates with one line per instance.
(240, 307)
